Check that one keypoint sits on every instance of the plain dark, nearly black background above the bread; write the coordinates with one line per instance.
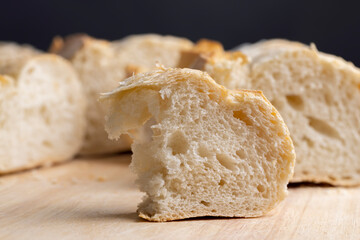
(334, 26)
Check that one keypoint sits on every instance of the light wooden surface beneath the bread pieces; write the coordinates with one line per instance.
(97, 198)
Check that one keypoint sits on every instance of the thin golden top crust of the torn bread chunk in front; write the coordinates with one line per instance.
(166, 76)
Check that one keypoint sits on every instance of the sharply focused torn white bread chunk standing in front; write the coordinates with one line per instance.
(209, 151)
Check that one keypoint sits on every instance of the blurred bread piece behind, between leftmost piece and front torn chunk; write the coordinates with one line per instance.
(101, 65)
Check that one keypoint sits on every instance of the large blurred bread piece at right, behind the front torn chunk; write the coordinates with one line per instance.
(317, 94)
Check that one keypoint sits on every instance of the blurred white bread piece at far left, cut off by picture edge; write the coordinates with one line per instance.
(42, 109)
